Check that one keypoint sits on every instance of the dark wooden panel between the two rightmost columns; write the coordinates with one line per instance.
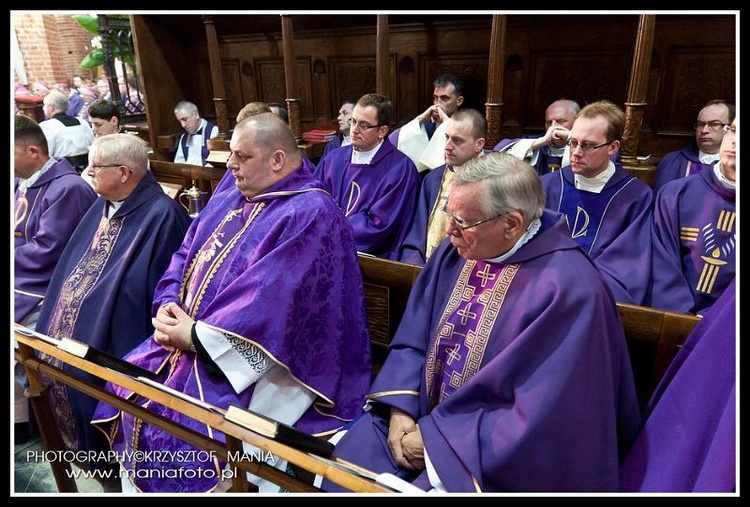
(584, 76)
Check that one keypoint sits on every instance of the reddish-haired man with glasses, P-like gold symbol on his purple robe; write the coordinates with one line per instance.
(607, 209)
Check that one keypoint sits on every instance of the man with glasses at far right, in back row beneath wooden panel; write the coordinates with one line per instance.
(709, 127)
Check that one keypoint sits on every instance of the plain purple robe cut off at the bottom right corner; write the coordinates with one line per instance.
(688, 440)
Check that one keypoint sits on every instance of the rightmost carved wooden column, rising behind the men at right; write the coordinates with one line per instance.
(636, 102)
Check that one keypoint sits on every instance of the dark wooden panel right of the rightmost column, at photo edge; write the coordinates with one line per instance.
(697, 75)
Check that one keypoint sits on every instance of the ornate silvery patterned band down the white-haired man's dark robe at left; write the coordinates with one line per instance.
(65, 315)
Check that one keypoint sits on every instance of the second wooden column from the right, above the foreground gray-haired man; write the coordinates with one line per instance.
(496, 75)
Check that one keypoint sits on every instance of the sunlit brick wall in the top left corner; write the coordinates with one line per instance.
(52, 46)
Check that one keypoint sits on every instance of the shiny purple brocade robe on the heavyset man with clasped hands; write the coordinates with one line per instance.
(284, 278)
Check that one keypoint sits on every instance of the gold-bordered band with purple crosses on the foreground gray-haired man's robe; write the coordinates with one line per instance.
(456, 352)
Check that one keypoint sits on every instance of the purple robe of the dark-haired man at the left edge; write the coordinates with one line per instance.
(46, 215)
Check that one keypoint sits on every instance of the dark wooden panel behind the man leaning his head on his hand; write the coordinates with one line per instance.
(471, 69)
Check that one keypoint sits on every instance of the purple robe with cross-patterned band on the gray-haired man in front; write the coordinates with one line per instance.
(519, 382)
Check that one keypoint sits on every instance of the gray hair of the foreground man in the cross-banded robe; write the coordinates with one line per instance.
(511, 184)
